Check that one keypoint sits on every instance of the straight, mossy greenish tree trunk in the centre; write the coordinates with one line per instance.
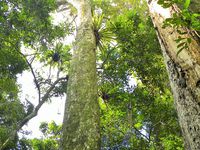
(81, 118)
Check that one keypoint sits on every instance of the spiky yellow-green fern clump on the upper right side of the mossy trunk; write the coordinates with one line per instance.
(102, 34)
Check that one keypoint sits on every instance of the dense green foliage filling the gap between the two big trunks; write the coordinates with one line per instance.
(140, 116)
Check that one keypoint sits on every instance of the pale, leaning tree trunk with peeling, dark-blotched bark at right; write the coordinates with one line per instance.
(184, 74)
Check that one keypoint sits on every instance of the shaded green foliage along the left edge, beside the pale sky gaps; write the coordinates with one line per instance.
(26, 23)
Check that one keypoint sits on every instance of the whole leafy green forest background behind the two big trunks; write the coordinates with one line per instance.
(136, 104)
